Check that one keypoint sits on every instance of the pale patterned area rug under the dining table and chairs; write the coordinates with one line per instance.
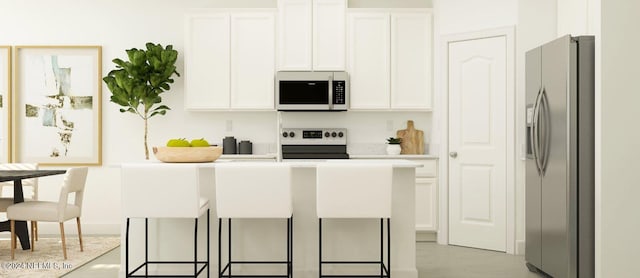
(47, 260)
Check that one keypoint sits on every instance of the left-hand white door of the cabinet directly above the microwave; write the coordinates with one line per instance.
(294, 44)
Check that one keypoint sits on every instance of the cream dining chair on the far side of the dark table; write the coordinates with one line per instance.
(7, 200)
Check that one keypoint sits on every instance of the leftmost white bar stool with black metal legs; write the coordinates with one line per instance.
(163, 191)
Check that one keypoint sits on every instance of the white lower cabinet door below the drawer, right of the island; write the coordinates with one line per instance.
(426, 204)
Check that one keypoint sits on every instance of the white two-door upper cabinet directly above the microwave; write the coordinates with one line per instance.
(311, 34)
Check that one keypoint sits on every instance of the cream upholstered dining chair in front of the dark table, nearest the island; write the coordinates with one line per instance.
(60, 211)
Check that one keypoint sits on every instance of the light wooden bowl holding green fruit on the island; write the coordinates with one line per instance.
(187, 154)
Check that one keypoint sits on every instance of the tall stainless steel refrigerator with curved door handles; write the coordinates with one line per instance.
(560, 158)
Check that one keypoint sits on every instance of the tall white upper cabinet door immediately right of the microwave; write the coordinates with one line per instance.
(368, 51)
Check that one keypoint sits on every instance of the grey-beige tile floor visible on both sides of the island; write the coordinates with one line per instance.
(433, 260)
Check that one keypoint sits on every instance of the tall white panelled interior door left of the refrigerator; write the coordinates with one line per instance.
(477, 80)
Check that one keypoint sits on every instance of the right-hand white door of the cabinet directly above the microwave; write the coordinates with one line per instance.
(329, 34)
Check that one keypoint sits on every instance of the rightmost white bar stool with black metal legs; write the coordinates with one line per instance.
(348, 190)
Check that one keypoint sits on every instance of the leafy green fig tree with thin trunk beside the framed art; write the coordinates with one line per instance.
(137, 84)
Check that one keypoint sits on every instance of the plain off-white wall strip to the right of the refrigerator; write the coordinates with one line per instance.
(619, 225)
